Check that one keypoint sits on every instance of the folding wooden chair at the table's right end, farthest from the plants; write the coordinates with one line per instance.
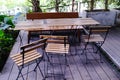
(94, 35)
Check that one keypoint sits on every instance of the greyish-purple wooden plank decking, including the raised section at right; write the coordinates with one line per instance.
(77, 69)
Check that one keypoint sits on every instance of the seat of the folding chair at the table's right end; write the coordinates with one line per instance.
(93, 38)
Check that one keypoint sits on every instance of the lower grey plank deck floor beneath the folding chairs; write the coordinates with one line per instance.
(77, 69)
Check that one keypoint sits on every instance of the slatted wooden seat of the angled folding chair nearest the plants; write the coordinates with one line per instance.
(28, 57)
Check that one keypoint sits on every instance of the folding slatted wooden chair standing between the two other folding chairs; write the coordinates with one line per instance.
(57, 45)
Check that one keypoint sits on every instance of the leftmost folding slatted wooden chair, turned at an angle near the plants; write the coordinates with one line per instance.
(29, 55)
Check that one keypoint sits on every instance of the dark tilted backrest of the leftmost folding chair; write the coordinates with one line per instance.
(33, 46)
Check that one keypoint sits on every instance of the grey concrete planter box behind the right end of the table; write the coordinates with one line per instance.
(104, 17)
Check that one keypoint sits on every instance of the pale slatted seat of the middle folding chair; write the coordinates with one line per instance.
(57, 48)
